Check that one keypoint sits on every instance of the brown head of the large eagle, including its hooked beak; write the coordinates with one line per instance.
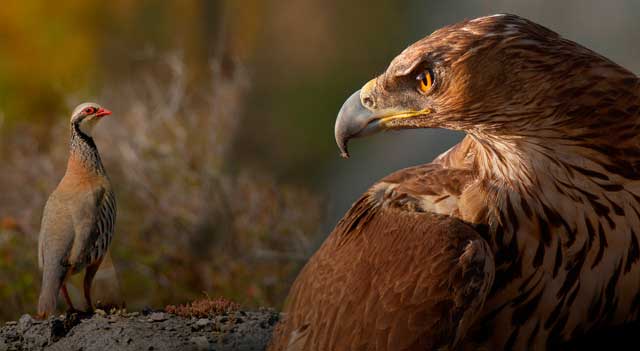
(495, 76)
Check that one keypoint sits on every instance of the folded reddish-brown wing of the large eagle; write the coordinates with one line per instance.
(414, 279)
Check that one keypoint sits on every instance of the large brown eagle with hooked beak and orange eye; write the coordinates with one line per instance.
(522, 236)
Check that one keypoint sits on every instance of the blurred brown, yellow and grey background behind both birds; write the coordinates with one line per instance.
(221, 144)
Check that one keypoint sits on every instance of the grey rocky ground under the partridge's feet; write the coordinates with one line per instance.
(237, 330)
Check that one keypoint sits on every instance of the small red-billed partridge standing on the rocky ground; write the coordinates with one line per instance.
(79, 216)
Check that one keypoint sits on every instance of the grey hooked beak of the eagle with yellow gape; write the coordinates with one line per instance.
(357, 120)
